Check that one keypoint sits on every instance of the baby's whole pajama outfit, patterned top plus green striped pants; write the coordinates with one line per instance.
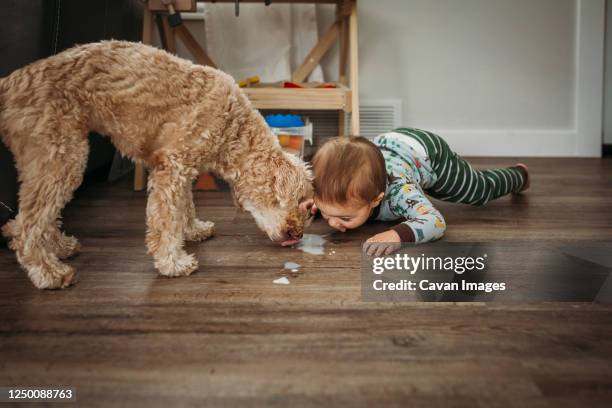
(419, 162)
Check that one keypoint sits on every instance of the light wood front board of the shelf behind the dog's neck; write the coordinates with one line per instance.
(274, 97)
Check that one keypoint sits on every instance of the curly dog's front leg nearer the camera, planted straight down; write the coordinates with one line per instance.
(166, 218)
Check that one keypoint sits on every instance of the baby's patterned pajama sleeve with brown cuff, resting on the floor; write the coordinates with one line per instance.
(424, 223)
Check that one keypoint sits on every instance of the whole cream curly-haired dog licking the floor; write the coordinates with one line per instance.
(176, 117)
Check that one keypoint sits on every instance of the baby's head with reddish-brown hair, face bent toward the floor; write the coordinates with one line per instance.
(350, 181)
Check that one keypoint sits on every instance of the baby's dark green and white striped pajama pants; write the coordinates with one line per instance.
(457, 181)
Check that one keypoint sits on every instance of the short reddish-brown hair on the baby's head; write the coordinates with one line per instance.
(348, 170)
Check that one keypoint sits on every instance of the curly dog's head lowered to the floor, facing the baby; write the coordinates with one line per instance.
(275, 195)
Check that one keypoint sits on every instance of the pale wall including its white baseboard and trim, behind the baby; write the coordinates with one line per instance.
(494, 77)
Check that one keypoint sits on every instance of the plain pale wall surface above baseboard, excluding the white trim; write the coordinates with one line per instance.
(471, 64)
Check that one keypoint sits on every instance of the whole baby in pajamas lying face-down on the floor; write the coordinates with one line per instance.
(357, 180)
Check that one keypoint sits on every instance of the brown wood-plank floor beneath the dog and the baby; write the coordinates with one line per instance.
(228, 336)
